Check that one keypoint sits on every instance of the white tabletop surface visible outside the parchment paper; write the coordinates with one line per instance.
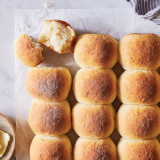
(7, 8)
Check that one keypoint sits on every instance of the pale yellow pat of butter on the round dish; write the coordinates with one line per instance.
(4, 140)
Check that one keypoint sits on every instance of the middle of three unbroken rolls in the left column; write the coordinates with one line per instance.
(50, 118)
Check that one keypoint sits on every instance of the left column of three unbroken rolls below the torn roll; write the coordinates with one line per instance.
(50, 114)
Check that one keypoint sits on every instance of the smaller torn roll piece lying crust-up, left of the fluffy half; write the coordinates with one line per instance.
(27, 51)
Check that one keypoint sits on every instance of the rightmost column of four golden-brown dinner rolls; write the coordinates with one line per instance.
(138, 119)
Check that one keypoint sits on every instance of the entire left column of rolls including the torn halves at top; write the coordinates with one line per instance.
(50, 113)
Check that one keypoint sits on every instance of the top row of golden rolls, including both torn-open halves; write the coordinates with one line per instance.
(136, 51)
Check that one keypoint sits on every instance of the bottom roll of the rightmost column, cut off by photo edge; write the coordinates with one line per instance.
(138, 149)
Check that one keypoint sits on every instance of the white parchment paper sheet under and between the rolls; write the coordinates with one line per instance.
(116, 22)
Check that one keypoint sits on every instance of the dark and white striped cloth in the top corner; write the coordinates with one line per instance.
(148, 9)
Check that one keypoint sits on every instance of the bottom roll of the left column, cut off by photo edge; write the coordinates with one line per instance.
(51, 148)
